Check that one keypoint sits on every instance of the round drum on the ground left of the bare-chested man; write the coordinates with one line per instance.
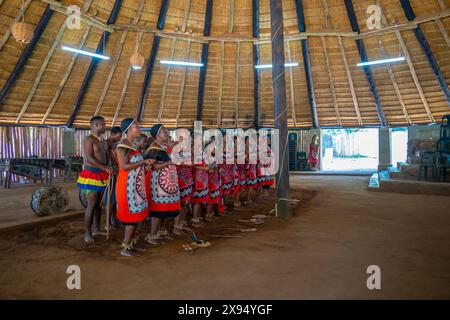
(49, 200)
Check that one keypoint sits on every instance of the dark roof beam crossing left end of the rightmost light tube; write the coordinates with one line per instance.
(367, 70)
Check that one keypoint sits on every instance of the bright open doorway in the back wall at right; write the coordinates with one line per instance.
(350, 149)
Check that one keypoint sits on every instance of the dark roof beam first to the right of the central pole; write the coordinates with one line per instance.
(307, 64)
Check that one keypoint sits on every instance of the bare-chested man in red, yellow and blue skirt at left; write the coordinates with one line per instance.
(94, 178)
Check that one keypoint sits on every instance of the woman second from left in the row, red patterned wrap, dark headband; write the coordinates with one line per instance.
(165, 194)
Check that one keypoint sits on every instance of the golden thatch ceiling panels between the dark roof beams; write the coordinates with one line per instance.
(47, 88)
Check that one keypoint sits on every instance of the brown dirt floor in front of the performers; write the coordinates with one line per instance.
(339, 229)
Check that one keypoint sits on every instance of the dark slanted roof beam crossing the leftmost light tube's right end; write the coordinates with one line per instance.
(93, 65)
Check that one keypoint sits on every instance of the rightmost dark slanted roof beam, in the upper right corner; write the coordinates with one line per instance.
(421, 39)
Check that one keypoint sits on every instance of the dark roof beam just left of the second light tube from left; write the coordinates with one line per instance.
(151, 61)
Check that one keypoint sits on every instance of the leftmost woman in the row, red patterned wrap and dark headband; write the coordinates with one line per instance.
(131, 195)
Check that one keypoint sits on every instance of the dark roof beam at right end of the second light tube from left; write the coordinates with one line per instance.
(205, 48)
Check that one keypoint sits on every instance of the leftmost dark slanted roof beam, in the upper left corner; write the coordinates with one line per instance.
(26, 53)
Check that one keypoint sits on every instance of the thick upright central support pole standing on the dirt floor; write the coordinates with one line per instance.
(279, 104)
